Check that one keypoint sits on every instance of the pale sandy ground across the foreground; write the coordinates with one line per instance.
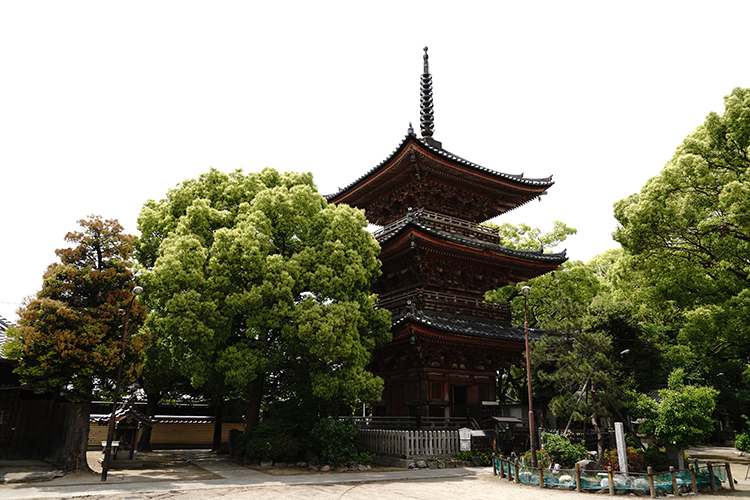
(198, 475)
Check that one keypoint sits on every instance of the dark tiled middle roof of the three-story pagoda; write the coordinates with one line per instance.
(403, 225)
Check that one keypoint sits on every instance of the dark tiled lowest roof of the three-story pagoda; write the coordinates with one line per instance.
(465, 326)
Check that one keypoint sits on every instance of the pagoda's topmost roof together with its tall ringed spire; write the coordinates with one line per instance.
(420, 173)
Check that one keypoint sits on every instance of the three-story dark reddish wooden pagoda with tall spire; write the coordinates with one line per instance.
(448, 343)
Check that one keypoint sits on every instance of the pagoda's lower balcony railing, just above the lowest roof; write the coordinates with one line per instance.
(443, 302)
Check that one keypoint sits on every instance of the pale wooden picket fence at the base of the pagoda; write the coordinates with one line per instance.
(408, 444)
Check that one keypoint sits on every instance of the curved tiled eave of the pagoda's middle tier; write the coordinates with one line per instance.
(458, 242)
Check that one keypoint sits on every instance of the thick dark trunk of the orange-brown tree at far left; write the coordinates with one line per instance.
(71, 452)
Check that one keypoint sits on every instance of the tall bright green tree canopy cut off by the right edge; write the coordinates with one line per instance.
(690, 225)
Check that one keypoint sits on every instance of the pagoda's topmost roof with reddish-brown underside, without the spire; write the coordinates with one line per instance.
(416, 161)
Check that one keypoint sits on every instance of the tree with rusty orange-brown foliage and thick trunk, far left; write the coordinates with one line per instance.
(68, 337)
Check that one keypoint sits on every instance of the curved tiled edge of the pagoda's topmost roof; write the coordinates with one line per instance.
(517, 181)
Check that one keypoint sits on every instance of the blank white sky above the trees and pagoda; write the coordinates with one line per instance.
(104, 105)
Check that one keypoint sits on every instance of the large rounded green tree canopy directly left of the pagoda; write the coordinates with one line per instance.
(261, 288)
